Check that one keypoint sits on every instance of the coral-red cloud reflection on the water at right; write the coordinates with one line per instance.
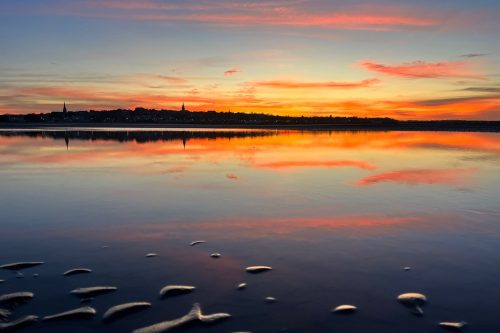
(419, 176)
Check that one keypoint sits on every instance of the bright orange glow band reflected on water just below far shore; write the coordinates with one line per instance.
(314, 150)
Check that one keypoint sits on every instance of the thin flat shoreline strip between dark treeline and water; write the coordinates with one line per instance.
(479, 126)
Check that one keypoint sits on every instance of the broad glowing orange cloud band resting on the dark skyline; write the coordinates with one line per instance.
(43, 98)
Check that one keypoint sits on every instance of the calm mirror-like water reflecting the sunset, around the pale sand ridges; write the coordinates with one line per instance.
(337, 215)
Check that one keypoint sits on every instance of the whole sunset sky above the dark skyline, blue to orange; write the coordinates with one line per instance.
(401, 59)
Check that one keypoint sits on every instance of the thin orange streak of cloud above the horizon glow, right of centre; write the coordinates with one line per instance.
(316, 85)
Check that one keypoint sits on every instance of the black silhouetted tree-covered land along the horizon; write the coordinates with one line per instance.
(152, 116)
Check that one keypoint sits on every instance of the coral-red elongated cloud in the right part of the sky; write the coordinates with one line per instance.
(422, 69)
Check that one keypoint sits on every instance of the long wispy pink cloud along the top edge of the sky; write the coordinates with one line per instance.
(298, 13)
